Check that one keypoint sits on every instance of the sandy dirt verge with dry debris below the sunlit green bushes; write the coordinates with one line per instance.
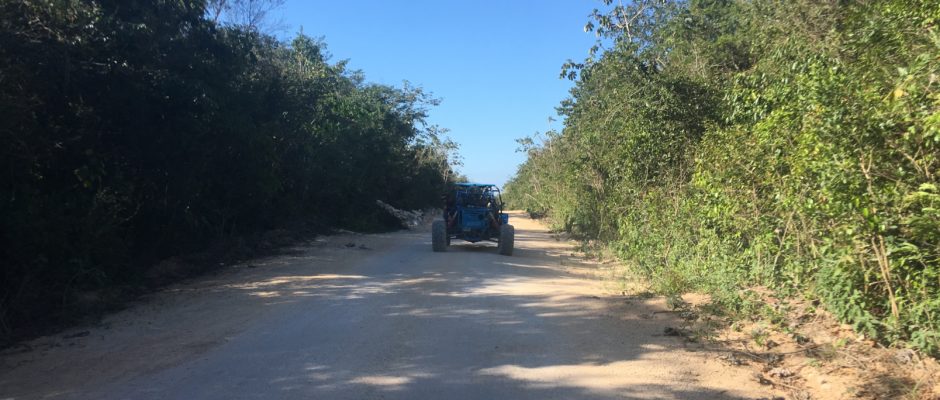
(803, 351)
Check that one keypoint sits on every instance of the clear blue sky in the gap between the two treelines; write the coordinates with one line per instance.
(495, 64)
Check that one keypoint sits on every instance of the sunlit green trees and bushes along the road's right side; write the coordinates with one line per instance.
(724, 145)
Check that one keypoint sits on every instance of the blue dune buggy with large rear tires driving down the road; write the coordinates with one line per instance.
(474, 212)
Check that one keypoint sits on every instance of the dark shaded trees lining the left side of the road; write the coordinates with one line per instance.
(133, 131)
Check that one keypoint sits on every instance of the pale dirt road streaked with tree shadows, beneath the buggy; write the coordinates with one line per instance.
(385, 318)
